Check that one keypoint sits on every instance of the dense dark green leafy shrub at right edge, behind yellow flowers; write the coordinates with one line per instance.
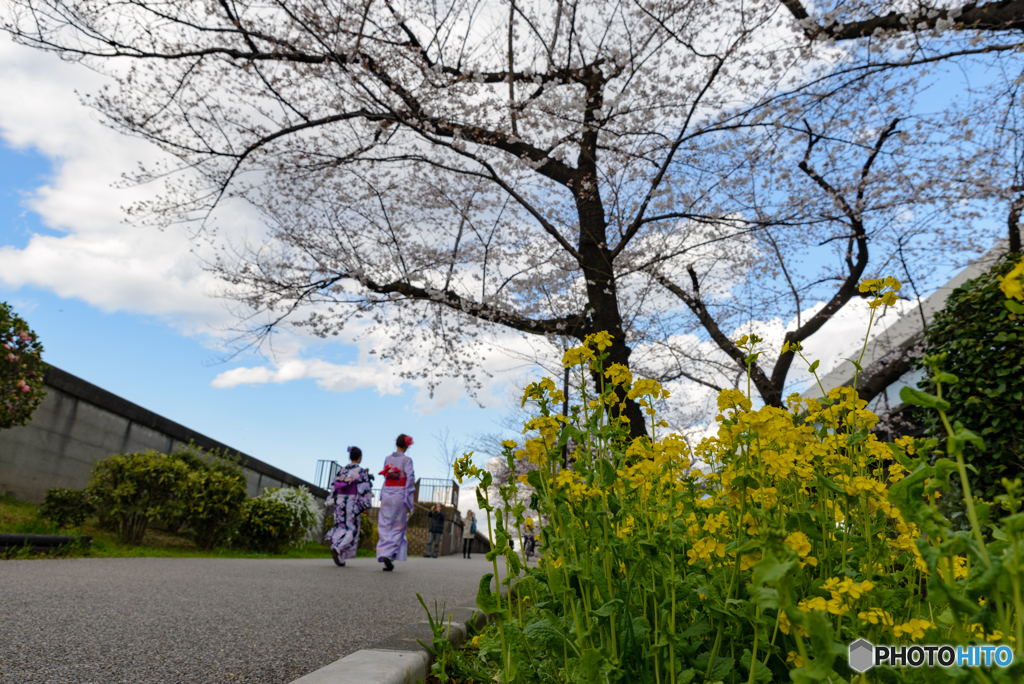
(984, 344)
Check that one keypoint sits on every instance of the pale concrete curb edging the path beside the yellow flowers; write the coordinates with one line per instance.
(399, 659)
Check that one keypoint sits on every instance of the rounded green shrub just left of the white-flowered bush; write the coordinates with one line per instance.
(212, 503)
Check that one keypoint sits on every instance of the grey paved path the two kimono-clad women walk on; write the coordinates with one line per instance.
(164, 621)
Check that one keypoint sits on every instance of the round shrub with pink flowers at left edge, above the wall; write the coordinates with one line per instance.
(21, 370)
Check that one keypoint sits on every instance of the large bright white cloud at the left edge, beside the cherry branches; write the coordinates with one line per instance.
(96, 256)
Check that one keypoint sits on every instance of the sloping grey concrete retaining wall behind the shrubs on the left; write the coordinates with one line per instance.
(79, 424)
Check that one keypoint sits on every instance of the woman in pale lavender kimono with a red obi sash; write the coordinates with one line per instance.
(398, 497)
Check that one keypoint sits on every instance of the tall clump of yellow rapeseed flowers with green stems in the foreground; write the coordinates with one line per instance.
(799, 534)
